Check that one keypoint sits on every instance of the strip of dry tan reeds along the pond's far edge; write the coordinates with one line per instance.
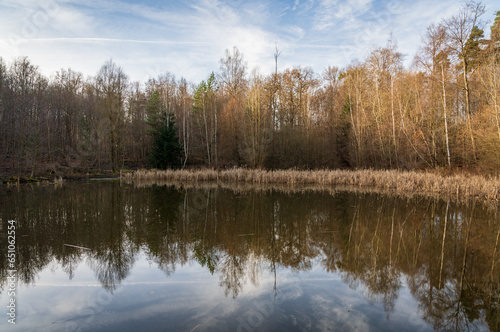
(398, 182)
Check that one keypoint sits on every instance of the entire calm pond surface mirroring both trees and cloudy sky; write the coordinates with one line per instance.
(105, 256)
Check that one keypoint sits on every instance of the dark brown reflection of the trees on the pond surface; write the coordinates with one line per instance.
(448, 256)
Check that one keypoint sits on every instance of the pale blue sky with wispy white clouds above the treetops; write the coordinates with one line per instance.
(189, 37)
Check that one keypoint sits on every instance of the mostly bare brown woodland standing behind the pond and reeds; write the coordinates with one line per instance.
(441, 112)
